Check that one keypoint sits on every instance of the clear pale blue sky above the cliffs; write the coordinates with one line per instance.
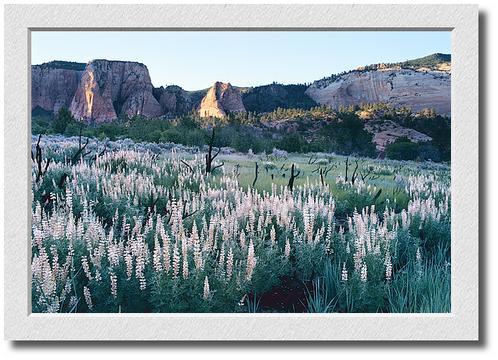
(196, 59)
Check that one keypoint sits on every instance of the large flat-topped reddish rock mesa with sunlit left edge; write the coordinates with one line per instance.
(108, 89)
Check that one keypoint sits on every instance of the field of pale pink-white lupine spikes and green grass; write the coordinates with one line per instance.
(125, 227)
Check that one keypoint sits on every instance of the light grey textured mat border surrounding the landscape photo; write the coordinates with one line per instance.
(460, 324)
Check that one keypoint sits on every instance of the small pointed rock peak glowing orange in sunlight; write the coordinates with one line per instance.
(220, 100)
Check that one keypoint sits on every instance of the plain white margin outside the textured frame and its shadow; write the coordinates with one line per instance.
(486, 349)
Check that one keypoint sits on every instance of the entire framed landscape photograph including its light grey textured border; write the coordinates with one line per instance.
(241, 172)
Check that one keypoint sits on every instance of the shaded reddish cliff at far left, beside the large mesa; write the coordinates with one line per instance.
(53, 84)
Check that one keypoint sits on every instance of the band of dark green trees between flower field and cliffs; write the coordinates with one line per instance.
(340, 131)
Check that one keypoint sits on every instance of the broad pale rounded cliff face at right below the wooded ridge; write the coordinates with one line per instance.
(415, 88)
